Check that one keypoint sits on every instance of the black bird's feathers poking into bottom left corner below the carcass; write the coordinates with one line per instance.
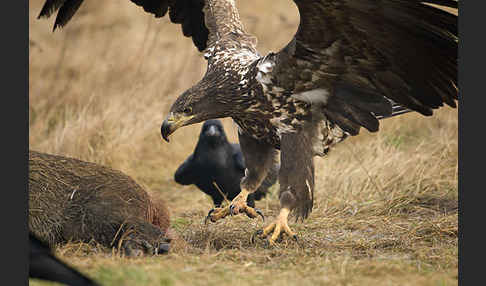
(44, 265)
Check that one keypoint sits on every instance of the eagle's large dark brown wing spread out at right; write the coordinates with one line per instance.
(354, 56)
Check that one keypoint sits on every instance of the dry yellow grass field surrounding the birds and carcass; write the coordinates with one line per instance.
(386, 203)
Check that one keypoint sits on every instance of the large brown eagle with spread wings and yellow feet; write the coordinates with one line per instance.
(349, 64)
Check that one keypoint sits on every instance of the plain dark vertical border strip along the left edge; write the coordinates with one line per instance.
(15, 140)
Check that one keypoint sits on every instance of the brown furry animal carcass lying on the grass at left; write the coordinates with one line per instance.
(73, 200)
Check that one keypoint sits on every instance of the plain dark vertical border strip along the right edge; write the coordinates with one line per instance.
(471, 77)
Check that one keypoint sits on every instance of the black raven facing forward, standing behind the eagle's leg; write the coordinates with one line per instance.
(215, 160)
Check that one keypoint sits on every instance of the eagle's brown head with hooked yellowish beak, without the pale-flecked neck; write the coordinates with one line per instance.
(202, 102)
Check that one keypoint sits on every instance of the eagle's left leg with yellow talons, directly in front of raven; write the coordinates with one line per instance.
(260, 157)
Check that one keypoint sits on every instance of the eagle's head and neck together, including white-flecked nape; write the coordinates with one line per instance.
(219, 94)
